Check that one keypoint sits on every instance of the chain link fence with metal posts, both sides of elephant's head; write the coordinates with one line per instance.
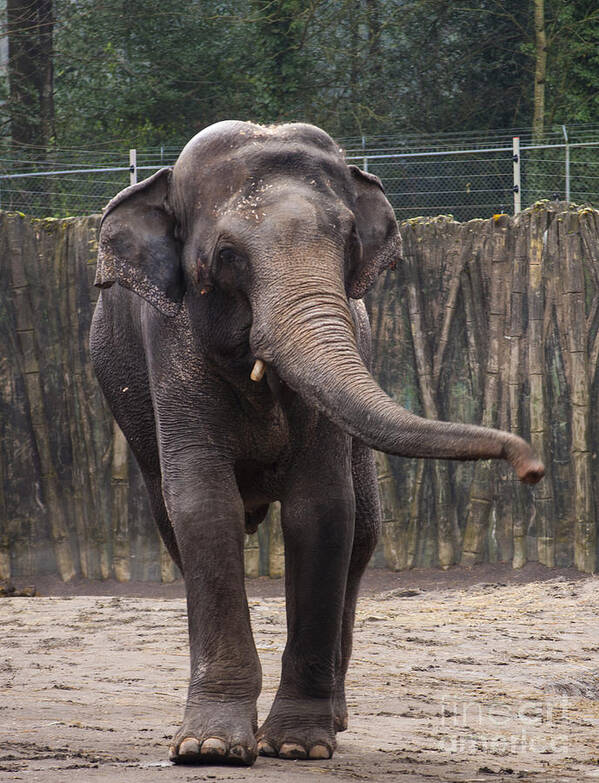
(467, 175)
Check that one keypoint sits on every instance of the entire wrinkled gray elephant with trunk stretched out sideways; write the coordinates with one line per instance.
(259, 244)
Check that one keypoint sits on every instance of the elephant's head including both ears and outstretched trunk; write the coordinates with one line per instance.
(267, 233)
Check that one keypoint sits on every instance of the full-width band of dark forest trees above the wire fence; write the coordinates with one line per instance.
(100, 73)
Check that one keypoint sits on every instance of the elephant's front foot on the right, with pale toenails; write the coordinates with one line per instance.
(298, 729)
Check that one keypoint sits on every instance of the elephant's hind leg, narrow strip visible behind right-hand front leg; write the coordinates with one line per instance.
(366, 533)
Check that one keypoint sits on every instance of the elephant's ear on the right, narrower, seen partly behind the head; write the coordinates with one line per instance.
(378, 232)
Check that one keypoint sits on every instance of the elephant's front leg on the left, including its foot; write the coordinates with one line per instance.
(220, 719)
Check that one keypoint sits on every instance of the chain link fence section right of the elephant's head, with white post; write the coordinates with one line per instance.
(475, 176)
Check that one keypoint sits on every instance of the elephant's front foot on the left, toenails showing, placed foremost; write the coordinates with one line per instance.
(216, 734)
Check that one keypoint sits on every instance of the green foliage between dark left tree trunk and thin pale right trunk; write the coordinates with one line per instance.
(147, 73)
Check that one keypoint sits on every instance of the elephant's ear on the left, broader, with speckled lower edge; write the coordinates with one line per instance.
(137, 245)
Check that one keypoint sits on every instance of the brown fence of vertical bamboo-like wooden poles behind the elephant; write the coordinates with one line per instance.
(491, 321)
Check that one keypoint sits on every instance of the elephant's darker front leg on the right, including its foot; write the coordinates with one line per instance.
(317, 520)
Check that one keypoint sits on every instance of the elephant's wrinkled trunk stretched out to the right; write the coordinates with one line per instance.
(309, 337)
